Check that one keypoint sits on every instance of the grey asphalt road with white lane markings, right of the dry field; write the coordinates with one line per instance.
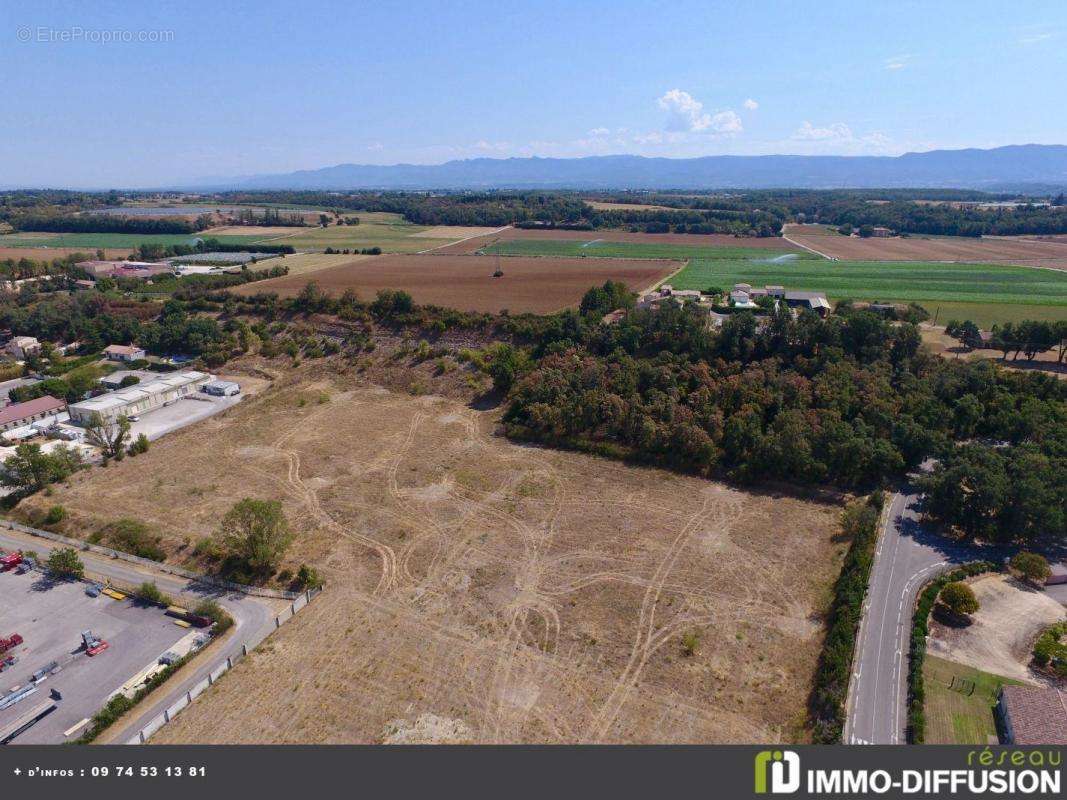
(906, 558)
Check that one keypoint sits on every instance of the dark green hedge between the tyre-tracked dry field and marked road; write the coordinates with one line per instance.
(831, 691)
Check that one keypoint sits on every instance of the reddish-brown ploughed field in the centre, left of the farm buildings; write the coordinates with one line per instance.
(467, 283)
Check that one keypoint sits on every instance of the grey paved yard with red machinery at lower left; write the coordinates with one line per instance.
(51, 617)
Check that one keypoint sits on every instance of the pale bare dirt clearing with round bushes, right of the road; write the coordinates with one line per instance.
(1009, 621)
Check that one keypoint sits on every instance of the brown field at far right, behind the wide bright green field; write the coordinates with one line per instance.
(1022, 251)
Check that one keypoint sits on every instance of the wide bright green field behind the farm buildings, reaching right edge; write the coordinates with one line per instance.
(986, 290)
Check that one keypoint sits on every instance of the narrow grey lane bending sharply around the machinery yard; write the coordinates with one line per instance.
(251, 616)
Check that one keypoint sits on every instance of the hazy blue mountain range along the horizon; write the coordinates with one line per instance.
(1015, 168)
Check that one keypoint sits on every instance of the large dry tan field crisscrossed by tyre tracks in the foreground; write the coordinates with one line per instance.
(484, 591)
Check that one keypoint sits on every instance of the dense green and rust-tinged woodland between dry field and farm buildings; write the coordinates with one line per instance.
(851, 401)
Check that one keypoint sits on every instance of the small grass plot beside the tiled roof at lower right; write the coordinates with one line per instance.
(960, 702)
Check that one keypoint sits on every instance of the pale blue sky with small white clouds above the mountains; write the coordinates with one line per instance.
(214, 89)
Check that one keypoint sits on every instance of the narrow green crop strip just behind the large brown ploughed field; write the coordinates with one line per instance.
(597, 249)
